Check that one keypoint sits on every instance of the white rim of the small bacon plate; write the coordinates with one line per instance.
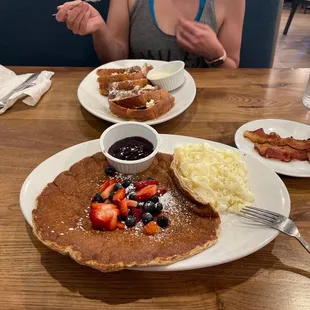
(239, 136)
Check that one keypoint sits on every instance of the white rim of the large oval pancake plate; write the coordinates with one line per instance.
(273, 233)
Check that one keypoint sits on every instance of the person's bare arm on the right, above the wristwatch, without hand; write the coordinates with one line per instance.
(230, 33)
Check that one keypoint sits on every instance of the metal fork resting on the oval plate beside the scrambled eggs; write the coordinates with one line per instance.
(276, 221)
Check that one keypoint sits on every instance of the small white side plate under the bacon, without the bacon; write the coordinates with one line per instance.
(285, 129)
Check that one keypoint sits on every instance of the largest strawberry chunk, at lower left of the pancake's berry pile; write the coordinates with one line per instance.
(104, 216)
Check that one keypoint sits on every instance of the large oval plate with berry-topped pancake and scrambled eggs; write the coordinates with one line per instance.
(179, 213)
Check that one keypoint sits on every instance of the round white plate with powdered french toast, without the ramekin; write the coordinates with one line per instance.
(120, 91)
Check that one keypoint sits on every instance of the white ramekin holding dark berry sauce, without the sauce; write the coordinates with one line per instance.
(125, 130)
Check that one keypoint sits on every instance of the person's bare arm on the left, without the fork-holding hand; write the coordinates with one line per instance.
(111, 40)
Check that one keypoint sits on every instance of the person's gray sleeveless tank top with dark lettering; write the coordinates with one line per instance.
(147, 41)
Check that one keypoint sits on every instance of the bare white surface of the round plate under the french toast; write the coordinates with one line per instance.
(96, 104)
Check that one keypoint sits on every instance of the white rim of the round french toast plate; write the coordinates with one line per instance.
(156, 121)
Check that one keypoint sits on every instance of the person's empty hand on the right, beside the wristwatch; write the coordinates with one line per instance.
(199, 39)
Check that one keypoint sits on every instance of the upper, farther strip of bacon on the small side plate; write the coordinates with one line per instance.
(259, 136)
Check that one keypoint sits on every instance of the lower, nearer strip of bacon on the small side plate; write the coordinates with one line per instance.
(283, 153)
